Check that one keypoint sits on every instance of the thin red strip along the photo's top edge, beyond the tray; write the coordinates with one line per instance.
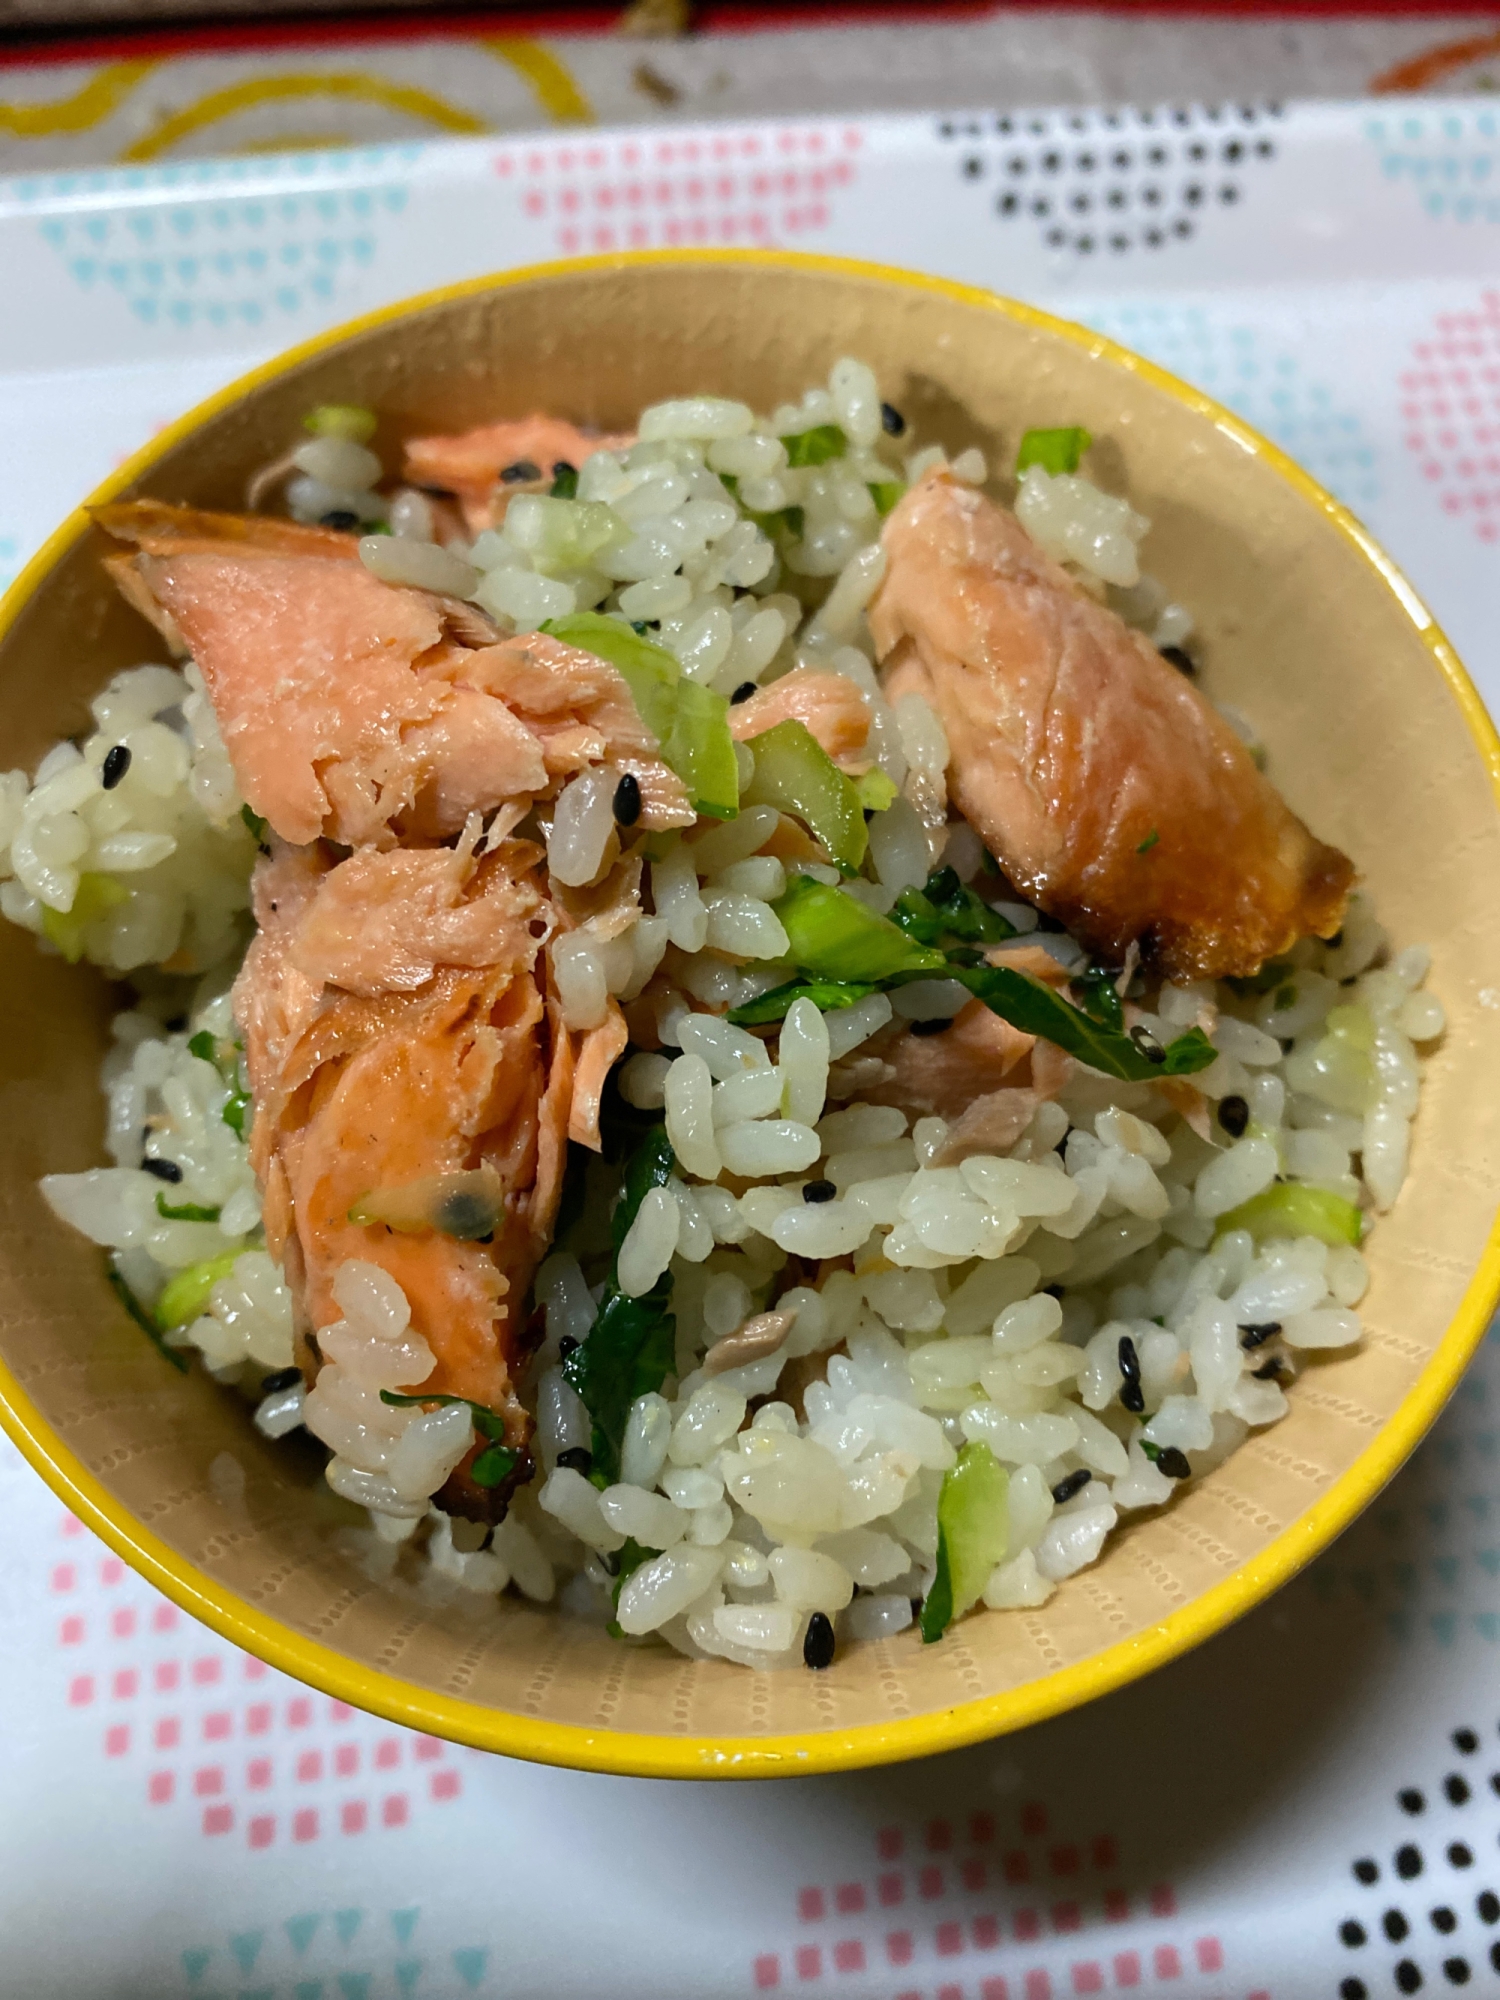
(341, 31)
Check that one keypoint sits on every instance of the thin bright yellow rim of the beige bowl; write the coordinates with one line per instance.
(625, 1753)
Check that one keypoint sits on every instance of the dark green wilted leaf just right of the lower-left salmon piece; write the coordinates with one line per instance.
(631, 1347)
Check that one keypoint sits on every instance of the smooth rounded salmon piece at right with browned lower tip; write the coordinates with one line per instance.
(1111, 793)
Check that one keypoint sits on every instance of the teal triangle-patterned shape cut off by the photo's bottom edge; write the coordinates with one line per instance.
(335, 1955)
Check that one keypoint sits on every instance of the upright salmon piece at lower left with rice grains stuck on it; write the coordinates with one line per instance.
(379, 1067)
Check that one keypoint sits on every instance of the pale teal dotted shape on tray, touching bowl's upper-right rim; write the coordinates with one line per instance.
(1261, 383)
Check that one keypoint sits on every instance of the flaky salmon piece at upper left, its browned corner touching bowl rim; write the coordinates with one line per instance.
(369, 713)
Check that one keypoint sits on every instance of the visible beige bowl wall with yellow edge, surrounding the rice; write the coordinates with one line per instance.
(1371, 743)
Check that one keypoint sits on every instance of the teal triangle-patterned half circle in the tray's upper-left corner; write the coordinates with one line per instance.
(189, 247)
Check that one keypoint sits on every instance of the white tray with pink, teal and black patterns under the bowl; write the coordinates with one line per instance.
(1307, 1807)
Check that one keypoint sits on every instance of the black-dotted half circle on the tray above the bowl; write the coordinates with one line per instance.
(1109, 185)
